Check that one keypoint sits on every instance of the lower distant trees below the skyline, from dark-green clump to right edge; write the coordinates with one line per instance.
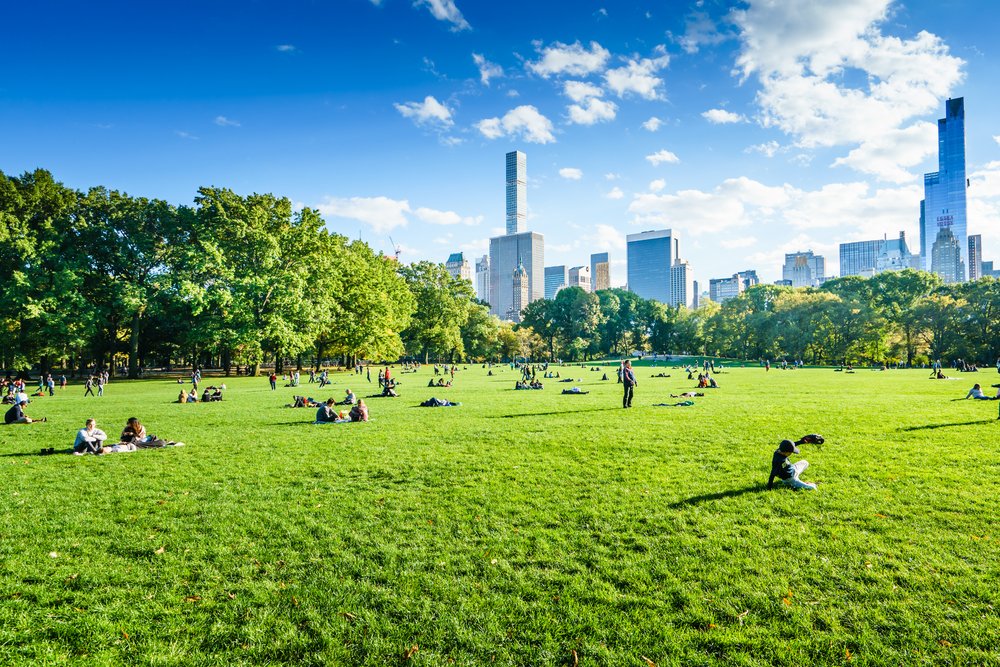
(908, 317)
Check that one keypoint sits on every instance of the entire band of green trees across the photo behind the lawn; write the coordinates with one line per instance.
(100, 278)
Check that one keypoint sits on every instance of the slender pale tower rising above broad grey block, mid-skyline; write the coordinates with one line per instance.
(517, 246)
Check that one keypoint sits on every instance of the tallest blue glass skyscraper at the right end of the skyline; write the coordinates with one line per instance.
(943, 219)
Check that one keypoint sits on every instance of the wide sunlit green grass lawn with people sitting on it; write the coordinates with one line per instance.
(522, 528)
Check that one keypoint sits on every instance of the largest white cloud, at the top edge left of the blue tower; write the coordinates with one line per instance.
(830, 77)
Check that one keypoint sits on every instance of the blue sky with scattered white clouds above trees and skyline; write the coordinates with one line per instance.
(752, 128)
